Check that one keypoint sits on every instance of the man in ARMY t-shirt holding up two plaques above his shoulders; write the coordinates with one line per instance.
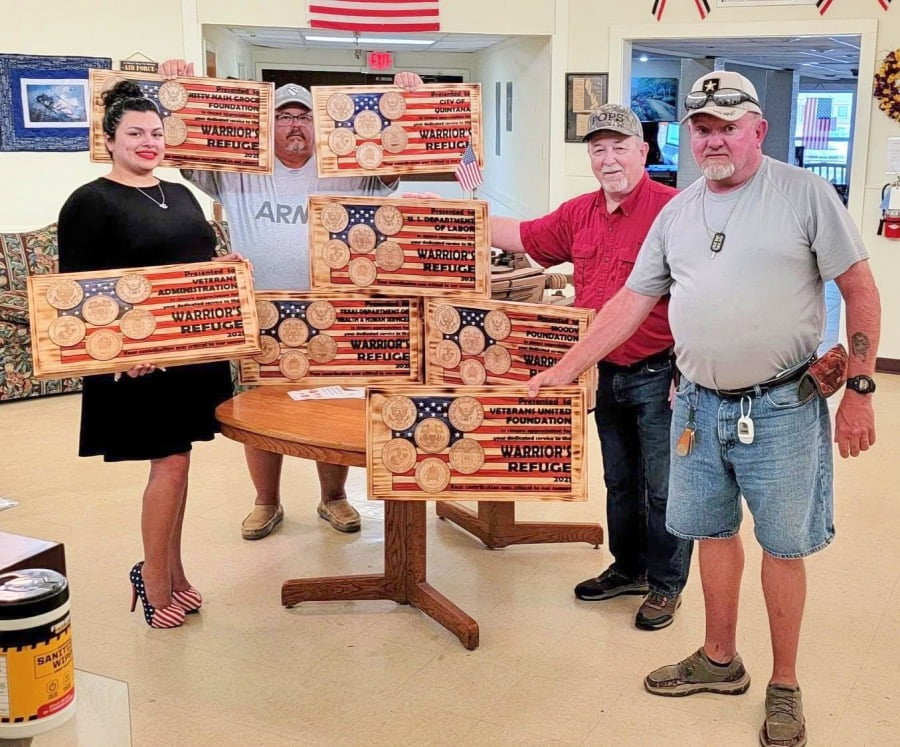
(267, 223)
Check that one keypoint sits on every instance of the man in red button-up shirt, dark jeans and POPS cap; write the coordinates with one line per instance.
(601, 233)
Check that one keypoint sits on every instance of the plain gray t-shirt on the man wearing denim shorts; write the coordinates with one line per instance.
(755, 308)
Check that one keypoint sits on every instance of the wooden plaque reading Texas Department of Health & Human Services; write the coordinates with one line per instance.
(312, 339)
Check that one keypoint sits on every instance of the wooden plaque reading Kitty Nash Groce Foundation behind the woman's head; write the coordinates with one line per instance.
(218, 125)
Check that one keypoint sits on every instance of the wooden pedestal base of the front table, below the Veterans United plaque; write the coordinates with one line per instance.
(403, 580)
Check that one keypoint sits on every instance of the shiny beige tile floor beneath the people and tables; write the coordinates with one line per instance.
(549, 671)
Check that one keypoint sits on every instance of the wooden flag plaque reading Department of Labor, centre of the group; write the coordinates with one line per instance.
(398, 247)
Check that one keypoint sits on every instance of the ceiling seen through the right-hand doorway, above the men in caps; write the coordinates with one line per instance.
(820, 57)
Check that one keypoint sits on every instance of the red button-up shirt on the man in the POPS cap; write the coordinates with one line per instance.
(603, 247)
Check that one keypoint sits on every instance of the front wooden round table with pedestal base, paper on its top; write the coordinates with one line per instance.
(334, 431)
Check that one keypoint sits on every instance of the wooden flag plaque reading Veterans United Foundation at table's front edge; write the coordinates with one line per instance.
(475, 443)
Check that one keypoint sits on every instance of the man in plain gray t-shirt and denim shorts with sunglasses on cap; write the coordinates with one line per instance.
(744, 252)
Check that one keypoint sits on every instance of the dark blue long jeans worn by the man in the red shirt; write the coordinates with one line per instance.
(633, 419)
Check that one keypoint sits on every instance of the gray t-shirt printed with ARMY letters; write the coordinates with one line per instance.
(268, 216)
